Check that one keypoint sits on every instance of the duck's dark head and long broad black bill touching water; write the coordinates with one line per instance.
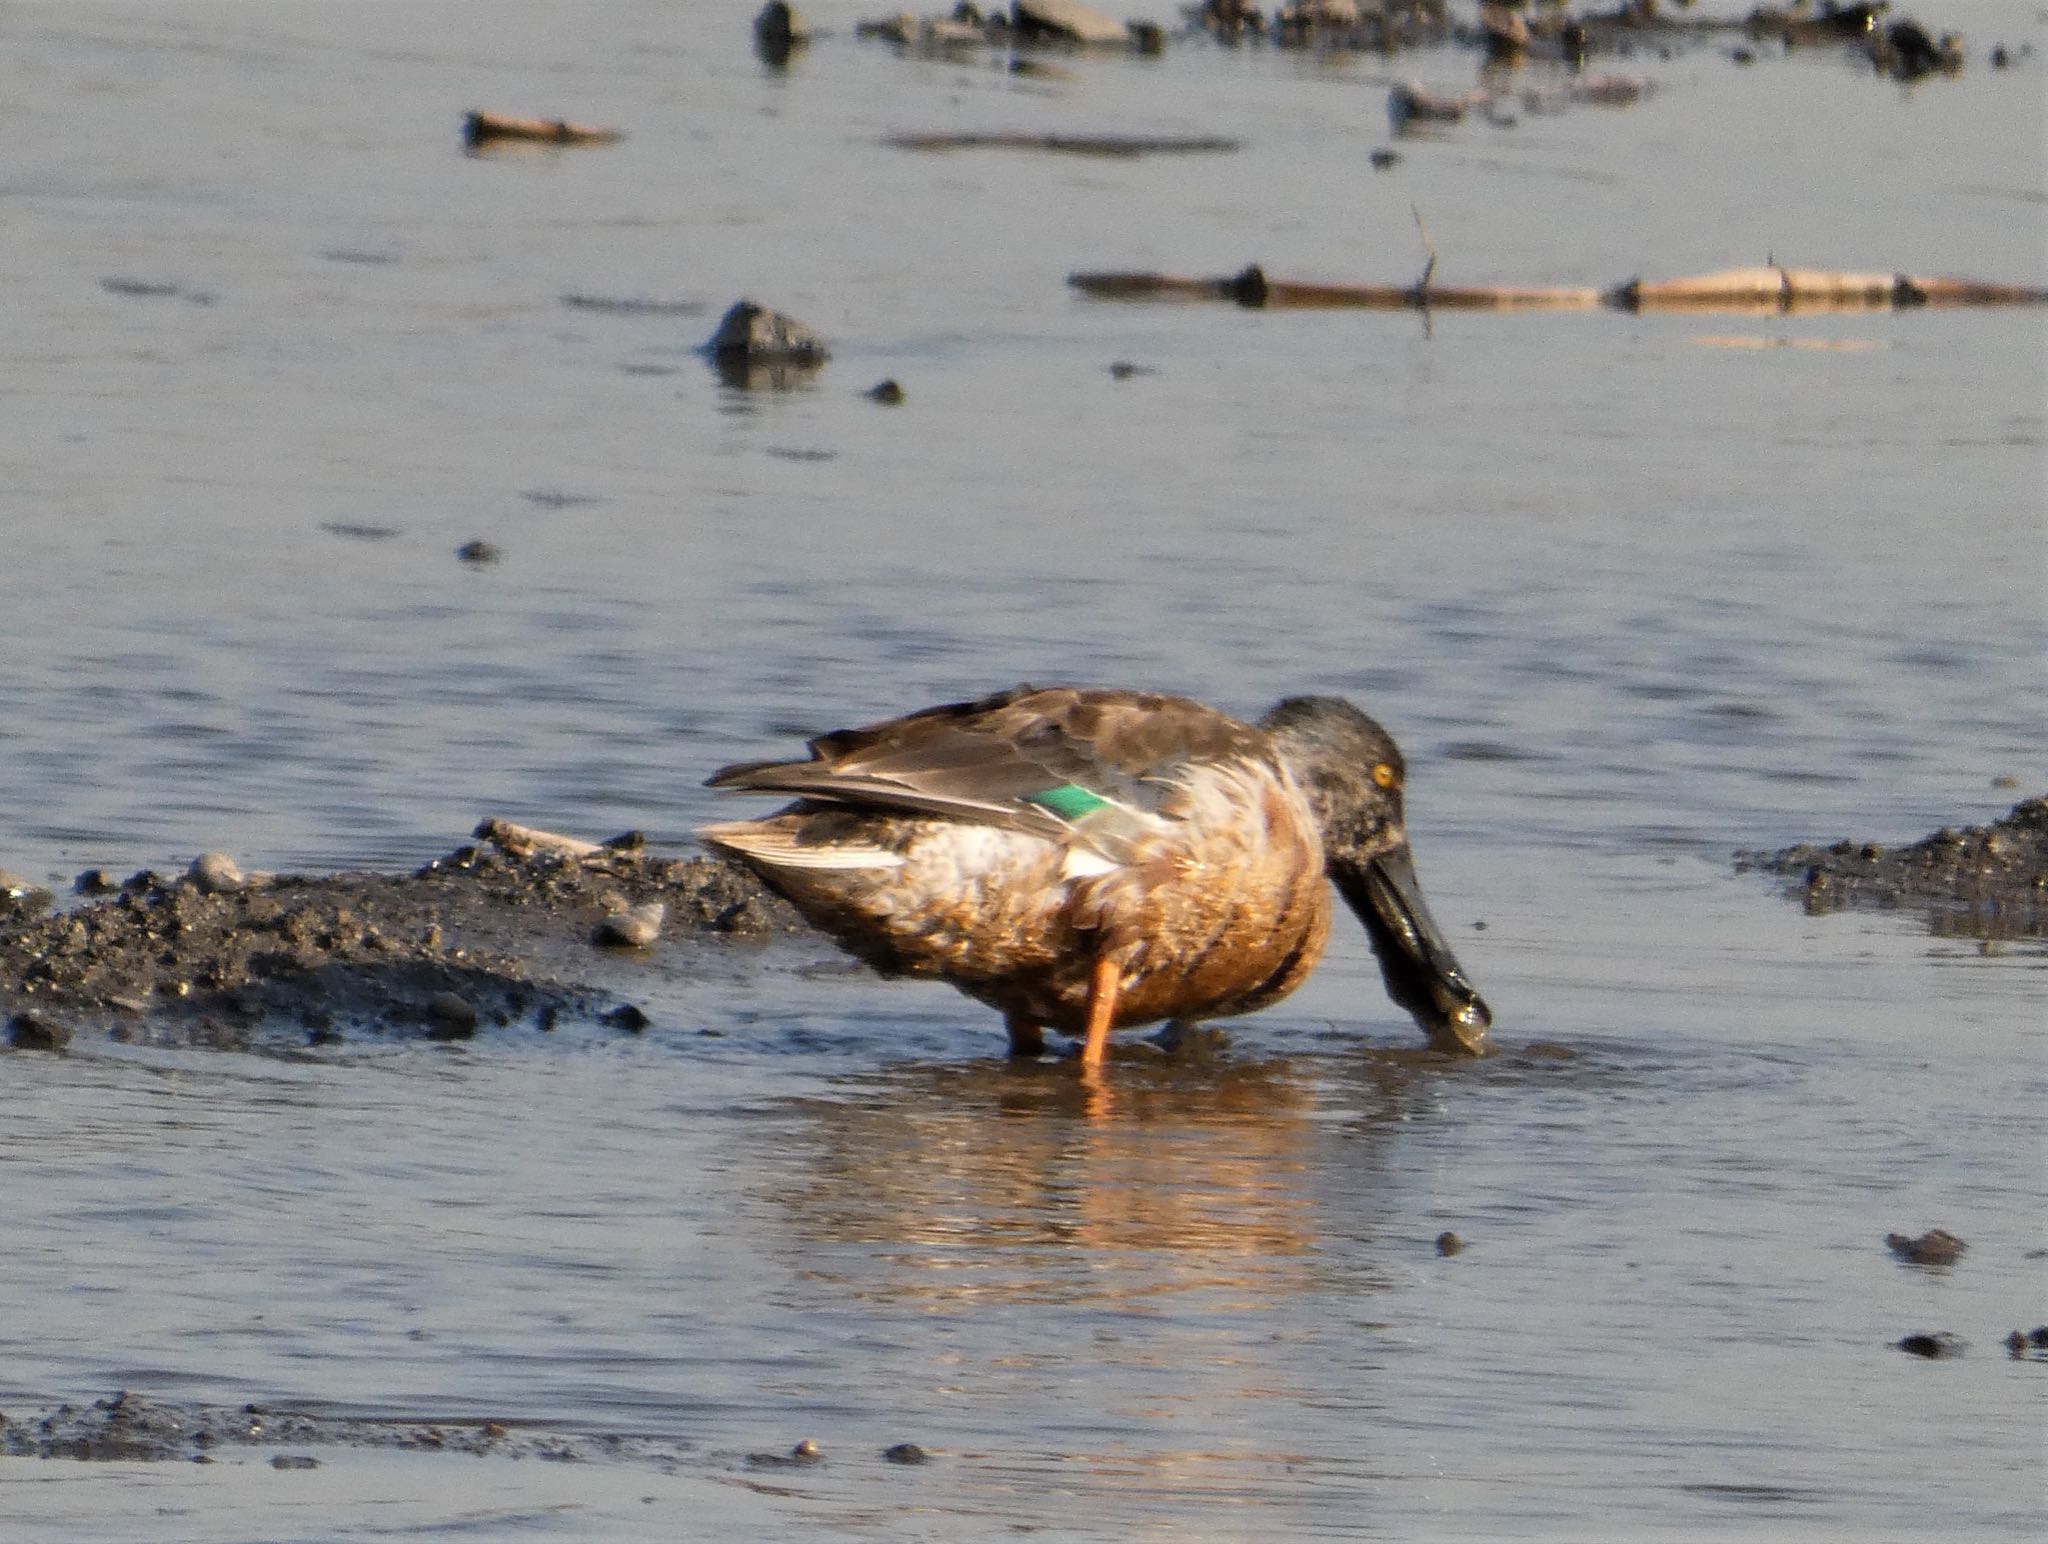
(1353, 775)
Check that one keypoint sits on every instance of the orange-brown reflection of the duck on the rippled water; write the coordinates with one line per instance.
(990, 1183)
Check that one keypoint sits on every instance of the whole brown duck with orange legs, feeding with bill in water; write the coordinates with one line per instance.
(1103, 859)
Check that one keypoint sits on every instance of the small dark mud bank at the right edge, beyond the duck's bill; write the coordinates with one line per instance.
(1986, 882)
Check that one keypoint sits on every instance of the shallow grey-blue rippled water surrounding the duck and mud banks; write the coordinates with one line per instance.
(1629, 597)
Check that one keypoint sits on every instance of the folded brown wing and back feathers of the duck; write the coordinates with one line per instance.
(1011, 759)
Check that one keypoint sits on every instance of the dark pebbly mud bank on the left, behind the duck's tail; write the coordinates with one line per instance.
(497, 933)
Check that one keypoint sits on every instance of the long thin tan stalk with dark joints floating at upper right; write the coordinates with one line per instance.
(1736, 290)
